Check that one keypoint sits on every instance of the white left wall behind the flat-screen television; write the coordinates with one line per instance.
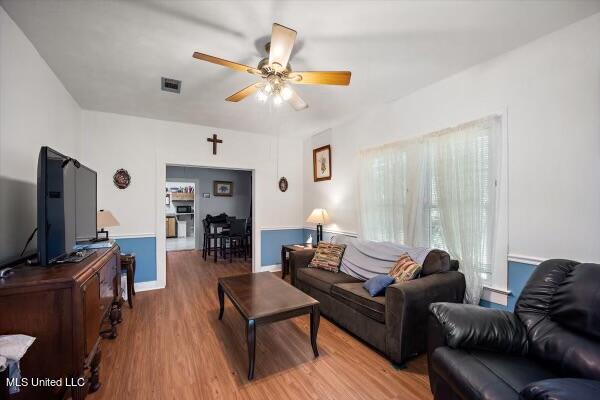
(35, 110)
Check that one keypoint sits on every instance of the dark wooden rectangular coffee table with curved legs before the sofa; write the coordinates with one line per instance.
(262, 298)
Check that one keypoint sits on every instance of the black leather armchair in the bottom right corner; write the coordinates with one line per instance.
(549, 348)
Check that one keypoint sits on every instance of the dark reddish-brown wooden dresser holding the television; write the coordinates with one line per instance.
(68, 308)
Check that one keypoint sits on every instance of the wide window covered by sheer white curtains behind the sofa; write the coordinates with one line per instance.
(438, 191)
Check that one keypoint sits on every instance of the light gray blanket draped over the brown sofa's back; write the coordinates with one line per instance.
(364, 259)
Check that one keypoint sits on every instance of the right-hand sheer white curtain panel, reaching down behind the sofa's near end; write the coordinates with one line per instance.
(464, 168)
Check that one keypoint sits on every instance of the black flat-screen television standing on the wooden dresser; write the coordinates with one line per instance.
(66, 192)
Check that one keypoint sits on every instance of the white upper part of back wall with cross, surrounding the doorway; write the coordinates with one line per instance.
(144, 147)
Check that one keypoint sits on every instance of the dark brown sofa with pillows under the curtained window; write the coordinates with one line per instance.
(395, 323)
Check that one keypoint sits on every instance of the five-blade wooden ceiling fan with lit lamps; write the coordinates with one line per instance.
(277, 74)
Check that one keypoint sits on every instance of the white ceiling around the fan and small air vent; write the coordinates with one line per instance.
(110, 55)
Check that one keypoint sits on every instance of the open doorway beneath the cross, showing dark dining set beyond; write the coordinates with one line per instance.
(213, 201)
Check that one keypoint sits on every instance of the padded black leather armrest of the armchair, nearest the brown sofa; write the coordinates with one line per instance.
(469, 326)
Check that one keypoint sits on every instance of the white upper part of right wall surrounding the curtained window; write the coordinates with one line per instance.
(550, 92)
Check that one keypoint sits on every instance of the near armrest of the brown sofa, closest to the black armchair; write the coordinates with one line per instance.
(407, 310)
